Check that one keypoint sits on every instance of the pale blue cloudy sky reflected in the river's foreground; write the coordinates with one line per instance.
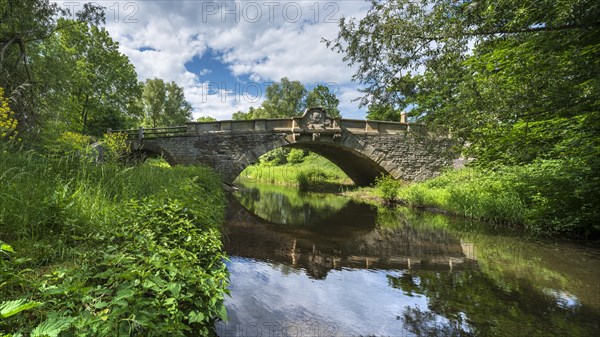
(356, 301)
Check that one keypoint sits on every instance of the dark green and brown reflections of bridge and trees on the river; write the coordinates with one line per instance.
(478, 283)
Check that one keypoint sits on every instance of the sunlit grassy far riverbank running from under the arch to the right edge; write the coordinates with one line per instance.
(546, 197)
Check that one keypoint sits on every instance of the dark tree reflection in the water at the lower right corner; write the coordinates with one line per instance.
(470, 303)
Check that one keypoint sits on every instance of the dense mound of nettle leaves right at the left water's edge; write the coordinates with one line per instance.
(161, 273)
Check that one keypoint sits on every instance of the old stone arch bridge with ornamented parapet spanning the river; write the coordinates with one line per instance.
(362, 149)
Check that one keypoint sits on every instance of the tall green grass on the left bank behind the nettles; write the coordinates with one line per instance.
(42, 195)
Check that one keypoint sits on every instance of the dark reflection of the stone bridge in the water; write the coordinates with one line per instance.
(339, 242)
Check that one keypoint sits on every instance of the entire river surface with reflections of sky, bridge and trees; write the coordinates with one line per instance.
(324, 265)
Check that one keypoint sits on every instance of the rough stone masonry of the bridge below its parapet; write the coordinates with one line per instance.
(410, 155)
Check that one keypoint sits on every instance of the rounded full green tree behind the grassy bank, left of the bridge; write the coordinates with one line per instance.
(94, 86)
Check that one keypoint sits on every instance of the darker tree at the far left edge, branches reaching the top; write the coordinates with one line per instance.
(24, 26)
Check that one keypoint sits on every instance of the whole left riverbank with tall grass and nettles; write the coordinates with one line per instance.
(104, 249)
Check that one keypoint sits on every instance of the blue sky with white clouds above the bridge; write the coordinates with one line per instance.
(225, 53)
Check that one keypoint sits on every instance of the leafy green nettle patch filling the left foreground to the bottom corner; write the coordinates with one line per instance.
(161, 272)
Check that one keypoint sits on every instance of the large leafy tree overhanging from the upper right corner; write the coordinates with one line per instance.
(485, 68)
